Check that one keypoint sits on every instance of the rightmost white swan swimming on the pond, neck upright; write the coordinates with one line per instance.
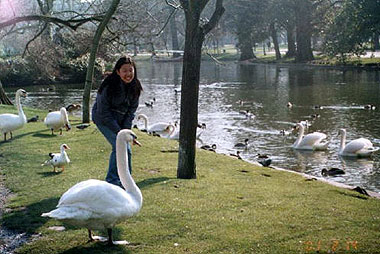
(360, 147)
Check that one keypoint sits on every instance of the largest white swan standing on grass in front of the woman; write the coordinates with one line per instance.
(98, 205)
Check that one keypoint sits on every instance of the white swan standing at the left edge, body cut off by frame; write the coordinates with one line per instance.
(10, 122)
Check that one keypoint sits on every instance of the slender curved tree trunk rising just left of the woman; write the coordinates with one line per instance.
(91, 61)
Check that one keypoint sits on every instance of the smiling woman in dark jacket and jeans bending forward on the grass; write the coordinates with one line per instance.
(115, 106)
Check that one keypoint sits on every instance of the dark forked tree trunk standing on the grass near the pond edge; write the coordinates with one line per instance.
(195, 34)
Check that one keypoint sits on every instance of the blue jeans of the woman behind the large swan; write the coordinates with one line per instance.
(112, 175)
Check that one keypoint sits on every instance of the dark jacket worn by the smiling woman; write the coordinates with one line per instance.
(115, 106)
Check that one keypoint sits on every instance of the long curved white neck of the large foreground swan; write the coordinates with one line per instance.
(123, 170)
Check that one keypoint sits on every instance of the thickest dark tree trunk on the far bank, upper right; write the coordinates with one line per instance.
(303, 31)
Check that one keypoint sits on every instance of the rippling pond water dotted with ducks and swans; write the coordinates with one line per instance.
(336, 96)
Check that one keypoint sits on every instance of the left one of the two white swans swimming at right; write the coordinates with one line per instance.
(311, 141)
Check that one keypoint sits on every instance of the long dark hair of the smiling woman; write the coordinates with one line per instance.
(136, 86)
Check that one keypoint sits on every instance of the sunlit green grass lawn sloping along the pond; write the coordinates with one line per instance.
(232, 206)
